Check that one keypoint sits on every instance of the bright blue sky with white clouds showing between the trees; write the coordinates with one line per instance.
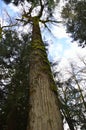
(61, 46)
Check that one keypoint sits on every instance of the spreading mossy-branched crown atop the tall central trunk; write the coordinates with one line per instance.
(45, 12)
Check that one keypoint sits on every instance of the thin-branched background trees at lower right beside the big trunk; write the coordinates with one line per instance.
(72, 94)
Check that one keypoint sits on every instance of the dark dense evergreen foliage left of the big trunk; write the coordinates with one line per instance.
(14, 79)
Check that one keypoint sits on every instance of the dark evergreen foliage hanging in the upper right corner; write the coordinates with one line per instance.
(74, 15)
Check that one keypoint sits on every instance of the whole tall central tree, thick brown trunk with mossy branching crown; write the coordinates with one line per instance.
(44, 113)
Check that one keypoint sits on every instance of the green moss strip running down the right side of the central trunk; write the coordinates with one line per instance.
(46, 64)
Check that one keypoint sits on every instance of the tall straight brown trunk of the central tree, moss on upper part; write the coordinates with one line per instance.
(44, 113)
